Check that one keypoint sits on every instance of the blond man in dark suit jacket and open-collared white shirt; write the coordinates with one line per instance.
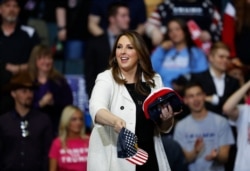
(218, 85)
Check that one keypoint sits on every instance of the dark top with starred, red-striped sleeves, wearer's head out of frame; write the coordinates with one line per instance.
(200, 11)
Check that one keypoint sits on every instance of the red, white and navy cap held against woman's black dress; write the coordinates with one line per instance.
(160, 97)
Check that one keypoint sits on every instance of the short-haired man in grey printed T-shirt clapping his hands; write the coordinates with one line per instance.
(205, 137)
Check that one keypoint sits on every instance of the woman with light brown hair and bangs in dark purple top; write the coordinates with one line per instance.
(53, 92)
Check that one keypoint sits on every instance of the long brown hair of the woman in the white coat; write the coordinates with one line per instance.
(144, 63)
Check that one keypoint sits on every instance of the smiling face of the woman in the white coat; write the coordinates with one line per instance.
(126, 54)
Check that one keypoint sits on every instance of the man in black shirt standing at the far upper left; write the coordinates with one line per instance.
(16, 42)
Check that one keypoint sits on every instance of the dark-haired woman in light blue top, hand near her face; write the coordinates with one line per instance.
(177, 57)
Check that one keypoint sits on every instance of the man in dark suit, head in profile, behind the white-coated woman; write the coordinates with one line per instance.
(99, 48)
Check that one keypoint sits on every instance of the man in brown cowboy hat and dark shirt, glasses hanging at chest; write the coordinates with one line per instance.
(25, 134)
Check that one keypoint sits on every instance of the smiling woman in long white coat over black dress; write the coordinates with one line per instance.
(116, 102)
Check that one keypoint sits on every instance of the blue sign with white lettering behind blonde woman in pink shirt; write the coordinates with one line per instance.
(80, 97)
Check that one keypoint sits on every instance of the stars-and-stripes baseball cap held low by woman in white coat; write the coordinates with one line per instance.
(127, 148)
